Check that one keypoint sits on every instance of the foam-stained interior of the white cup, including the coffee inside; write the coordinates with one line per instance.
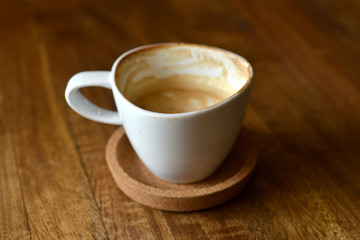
(174, 78)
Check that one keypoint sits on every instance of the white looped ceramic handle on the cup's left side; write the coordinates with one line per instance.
(82, 105)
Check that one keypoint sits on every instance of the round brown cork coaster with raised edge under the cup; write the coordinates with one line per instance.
(136, 181)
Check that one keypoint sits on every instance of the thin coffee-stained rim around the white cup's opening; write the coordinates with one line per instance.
(177, 115)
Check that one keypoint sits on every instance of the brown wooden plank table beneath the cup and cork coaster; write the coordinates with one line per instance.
(304, 114)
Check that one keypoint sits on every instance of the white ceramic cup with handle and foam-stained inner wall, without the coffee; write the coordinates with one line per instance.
(177, 147)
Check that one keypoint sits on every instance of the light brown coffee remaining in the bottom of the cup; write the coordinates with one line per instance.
(180, 93)
